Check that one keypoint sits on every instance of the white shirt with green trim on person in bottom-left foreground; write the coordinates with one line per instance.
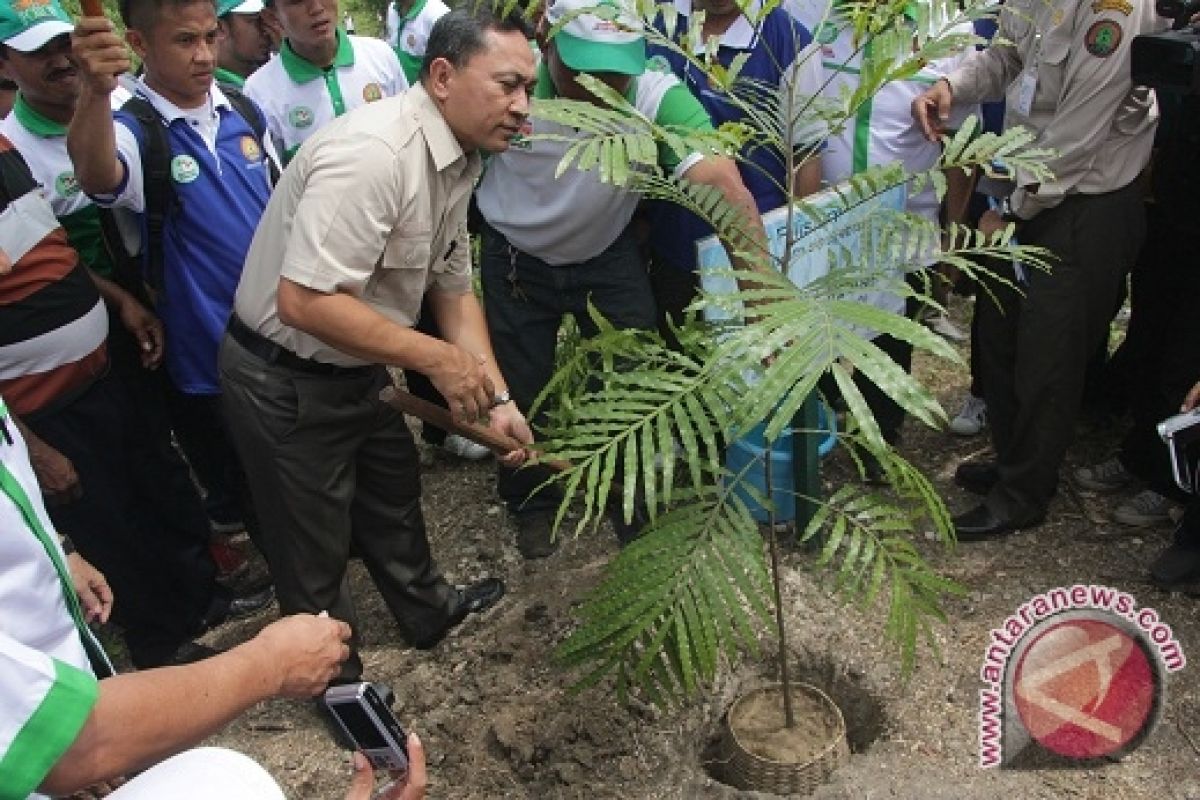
(47, 688)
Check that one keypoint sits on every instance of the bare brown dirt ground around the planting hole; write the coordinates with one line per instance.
(497, 719)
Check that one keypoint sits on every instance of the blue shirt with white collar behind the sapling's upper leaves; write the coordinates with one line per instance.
(775, 53)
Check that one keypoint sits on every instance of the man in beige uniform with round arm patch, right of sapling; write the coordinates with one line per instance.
(1064, 69)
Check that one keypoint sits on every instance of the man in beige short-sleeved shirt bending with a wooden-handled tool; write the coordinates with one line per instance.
(368, 220)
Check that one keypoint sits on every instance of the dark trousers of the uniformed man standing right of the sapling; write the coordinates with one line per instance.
(1035, 347)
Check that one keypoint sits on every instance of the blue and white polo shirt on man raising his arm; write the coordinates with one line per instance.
(221, 183)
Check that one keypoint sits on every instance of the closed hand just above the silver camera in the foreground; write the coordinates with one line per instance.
(305, 652)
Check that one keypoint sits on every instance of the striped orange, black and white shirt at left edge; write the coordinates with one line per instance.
(53, 323)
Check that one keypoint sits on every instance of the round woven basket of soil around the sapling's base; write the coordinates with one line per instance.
(746, 771)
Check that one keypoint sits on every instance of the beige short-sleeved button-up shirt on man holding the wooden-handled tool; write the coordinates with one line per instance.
(374, 206)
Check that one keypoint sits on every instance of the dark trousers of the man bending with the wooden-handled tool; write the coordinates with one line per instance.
(329, 464)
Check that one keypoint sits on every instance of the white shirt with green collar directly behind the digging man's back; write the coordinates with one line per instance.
(299, 99)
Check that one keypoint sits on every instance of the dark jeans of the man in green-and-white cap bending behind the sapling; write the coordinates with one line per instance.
(527, 300)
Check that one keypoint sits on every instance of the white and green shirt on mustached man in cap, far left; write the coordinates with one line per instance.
(44, 146)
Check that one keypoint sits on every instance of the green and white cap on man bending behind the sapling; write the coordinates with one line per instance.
(601, 37)
